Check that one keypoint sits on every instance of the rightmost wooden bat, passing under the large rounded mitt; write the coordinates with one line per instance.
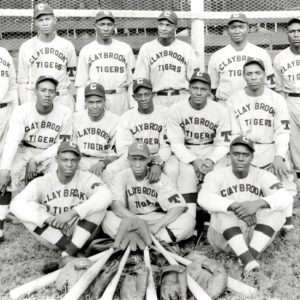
(232, 284)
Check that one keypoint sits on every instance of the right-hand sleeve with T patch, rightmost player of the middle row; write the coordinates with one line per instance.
(281, 127)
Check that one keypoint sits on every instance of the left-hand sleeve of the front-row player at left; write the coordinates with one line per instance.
(27, 207)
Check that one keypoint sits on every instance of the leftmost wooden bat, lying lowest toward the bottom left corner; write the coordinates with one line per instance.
(43, 281)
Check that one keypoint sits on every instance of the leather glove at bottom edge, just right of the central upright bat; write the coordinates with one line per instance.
(173, 283)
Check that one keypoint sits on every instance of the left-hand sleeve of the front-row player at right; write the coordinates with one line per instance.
(209, 196)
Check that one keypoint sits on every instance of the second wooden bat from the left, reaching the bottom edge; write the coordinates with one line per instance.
(81, 285)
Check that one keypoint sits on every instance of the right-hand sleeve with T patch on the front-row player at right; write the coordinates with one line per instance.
(276, 195)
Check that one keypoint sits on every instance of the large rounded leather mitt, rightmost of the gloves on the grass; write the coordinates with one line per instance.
(208, 273)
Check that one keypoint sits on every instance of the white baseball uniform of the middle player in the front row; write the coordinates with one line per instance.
(148, 201)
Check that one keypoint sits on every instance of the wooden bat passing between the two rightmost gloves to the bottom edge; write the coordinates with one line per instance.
(193, 286)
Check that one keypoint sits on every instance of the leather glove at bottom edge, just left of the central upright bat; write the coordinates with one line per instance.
(135, 283)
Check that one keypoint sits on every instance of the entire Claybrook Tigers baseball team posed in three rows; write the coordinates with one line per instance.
(153, 139)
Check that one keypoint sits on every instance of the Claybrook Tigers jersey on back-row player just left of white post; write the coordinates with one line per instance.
(167, 67)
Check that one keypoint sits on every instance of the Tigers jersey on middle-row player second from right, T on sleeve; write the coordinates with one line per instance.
(190, 130)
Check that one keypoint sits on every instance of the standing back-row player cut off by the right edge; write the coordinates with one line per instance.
(287, 77)
